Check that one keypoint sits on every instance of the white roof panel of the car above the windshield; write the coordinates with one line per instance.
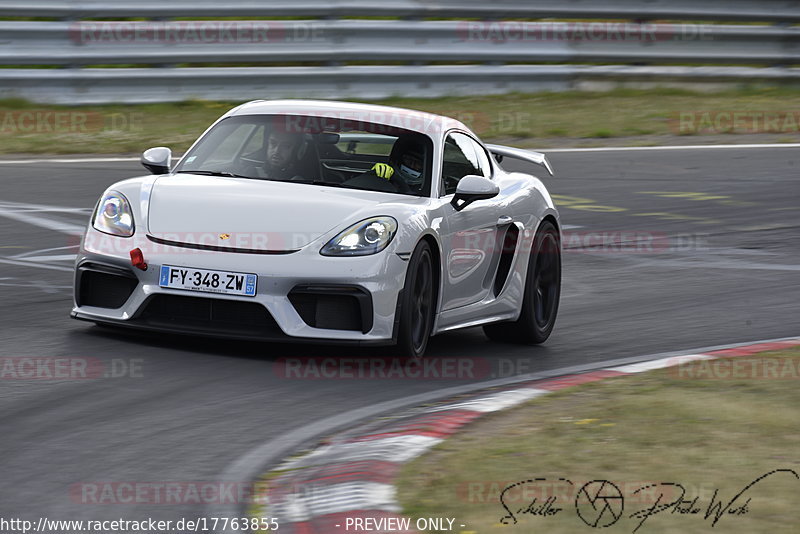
(434, 126)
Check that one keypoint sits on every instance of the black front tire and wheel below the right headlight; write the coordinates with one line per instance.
(417, 308)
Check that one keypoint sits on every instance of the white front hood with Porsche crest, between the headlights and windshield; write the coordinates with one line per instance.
(251, 214)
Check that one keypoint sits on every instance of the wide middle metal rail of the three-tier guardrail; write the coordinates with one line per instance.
(326, 41)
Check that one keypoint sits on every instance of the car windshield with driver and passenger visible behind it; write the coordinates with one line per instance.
(315, 151)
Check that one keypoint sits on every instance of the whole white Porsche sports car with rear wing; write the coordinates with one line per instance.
(326, 221)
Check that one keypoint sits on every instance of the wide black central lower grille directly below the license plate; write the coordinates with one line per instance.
(211, 315)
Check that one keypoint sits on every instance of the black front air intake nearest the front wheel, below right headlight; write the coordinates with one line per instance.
(333, 308)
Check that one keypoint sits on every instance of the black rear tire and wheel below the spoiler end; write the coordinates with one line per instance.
(541, 296)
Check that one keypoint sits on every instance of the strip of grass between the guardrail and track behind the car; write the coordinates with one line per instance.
(619, 117)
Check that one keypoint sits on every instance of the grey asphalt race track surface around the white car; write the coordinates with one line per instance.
(723, 267)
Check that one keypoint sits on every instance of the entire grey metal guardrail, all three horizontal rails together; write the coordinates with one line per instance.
(161, 59)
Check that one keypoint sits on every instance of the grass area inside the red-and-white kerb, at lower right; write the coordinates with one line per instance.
(688, 425)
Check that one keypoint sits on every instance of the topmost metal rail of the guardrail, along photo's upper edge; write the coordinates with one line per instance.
(717, 10)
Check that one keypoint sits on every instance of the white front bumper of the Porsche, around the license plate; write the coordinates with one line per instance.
(302, 296)
